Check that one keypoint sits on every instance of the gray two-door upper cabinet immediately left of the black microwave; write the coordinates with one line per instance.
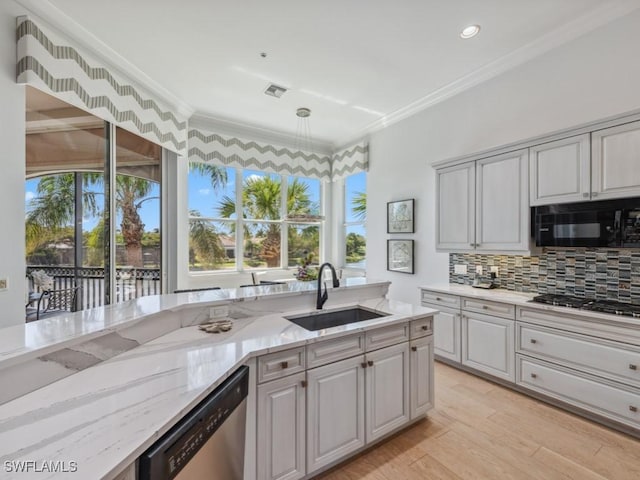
(483, 205)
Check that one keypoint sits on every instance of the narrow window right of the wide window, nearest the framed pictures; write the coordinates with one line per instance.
(355, 188)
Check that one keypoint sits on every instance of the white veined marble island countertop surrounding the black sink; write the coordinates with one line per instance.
(104, 417)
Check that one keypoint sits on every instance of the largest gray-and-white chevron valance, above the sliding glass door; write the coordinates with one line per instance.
(49, 62)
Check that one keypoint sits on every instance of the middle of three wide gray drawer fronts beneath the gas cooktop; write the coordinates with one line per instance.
(600, 357)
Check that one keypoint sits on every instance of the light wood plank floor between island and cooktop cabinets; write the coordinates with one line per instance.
(480, 430)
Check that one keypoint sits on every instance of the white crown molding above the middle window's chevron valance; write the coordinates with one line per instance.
(255, 133)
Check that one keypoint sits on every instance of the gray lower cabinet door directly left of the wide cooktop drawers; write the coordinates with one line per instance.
(488, 344)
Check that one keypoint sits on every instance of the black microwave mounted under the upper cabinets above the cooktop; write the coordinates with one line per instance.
(609, 223)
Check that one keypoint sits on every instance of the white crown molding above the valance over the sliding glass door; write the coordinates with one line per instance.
(89, 43)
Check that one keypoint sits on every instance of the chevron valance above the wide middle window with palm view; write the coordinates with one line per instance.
(237, 152)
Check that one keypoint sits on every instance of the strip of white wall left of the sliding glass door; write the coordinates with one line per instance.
(12, 153)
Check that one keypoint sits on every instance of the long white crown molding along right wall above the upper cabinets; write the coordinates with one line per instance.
(600, 16)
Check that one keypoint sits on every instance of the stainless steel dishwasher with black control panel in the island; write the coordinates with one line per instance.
(208, 442)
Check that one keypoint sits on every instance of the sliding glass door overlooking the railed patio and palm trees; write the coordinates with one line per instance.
(92, 204)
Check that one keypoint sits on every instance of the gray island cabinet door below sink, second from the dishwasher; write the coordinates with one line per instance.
(335, 411)
